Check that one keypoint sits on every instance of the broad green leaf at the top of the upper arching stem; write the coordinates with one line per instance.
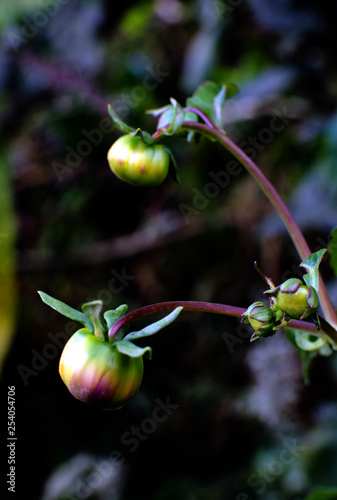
(210, 98)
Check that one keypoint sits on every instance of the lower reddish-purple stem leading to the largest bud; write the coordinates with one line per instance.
(212, 308)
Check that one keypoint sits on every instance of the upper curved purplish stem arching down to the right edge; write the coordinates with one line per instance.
(273, 196)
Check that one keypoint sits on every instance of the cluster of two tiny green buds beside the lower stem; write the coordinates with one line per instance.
(288, 301)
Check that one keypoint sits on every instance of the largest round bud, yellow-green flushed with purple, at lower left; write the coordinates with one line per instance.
(95, 372)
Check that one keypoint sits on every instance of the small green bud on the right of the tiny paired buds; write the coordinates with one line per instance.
(295, 299)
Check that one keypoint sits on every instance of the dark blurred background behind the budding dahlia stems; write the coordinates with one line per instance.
(237, 420)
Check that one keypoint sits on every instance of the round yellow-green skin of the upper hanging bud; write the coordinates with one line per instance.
(138, 163)
